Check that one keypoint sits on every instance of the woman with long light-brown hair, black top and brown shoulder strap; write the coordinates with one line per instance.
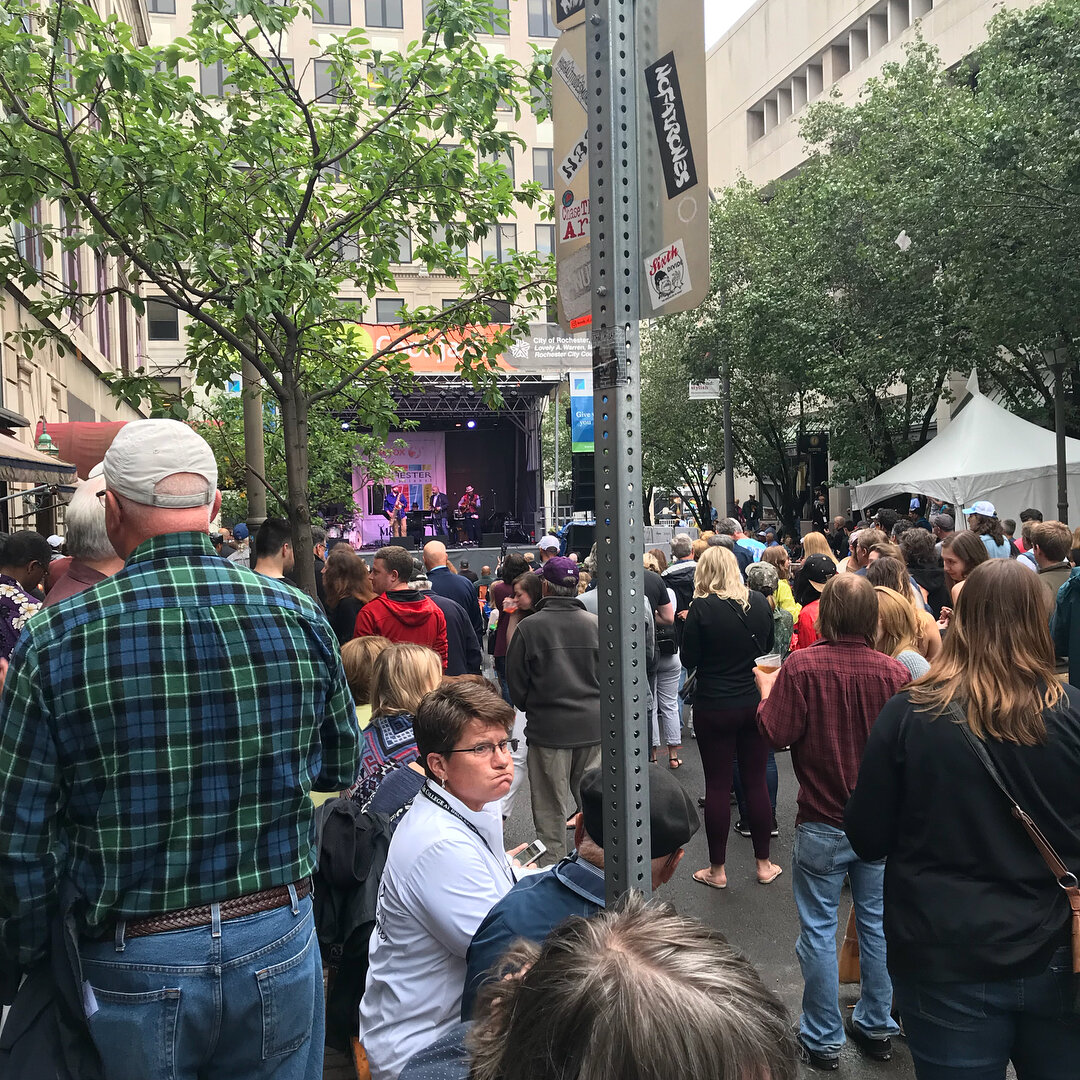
(977, 926)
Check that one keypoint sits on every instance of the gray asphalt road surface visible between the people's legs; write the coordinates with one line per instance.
(759, 920)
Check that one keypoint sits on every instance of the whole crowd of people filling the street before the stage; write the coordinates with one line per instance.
(178, 717)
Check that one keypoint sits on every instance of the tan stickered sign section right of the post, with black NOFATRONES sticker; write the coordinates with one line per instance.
(673, 156)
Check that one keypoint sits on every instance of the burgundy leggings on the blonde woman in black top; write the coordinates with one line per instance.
(723, 736)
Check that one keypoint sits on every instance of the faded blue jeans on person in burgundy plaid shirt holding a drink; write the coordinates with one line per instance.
(821, 859)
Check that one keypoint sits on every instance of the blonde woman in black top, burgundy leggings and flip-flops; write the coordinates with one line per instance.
(726, 629)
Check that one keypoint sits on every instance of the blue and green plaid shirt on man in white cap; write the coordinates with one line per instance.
(159, 736)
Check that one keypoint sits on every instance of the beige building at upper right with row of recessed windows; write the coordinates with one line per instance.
(785, 53)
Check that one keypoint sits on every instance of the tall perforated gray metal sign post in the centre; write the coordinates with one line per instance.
(615, 244)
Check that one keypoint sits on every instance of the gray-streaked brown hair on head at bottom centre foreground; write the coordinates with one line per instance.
(636, 993)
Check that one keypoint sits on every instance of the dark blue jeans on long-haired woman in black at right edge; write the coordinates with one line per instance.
(973, 1031)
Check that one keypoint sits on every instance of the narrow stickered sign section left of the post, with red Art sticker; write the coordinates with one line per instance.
(573, 231)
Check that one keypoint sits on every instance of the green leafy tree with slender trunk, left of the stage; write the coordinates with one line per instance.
(252, 213)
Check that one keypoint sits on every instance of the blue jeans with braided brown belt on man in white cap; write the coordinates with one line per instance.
(241, 1000)
